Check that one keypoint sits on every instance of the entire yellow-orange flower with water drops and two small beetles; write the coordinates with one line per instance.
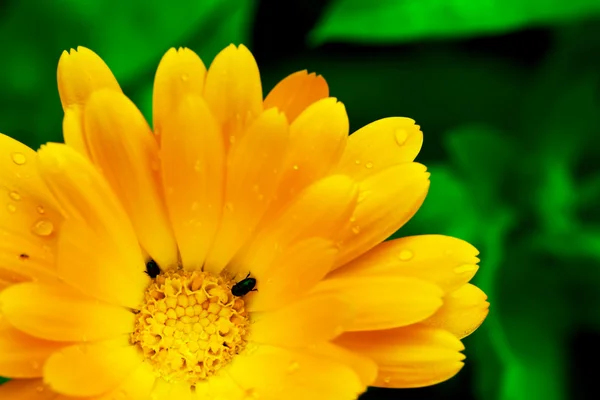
(227, 184)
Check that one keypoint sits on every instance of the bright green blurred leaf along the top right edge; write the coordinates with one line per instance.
(389, 21)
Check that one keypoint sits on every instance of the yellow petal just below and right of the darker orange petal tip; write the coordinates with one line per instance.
(317, 140)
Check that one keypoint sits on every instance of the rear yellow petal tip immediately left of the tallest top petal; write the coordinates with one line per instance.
(180, 73)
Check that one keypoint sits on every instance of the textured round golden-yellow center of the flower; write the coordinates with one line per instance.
(190, 325)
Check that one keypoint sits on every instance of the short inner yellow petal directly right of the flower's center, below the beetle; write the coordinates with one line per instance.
(308, 321)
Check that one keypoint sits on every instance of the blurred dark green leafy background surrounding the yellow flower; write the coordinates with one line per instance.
(507, 93)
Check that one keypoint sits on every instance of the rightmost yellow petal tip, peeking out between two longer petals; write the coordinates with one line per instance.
(463, 311)
